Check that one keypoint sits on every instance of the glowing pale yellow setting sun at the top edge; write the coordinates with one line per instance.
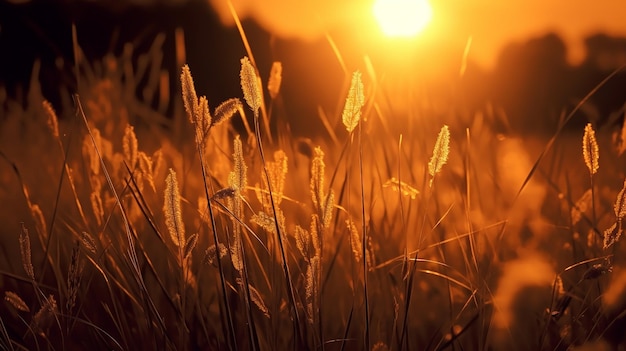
(402, 18)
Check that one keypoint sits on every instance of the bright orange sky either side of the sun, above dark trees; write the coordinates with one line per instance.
(491, 24)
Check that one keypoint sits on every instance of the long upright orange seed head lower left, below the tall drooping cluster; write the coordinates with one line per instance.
(171, 208)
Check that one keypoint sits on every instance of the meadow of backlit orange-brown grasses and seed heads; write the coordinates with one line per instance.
(149, 221)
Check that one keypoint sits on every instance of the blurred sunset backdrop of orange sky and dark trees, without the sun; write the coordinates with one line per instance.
(533, 59)
